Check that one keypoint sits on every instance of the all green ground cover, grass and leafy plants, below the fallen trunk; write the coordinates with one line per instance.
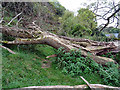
(24, 68)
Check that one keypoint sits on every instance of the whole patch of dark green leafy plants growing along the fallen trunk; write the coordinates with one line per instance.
(74, 64)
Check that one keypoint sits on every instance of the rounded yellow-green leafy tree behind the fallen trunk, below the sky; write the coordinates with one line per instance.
(79, 25)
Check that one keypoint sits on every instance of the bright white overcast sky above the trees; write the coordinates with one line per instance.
(75, 5)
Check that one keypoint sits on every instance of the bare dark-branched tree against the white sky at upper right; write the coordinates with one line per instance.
(107, 11)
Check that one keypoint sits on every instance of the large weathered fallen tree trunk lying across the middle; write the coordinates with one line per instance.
(35, 35)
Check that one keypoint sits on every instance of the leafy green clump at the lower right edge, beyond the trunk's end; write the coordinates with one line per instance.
(110, 74)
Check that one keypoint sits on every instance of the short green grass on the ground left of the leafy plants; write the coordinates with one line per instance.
(24, 69)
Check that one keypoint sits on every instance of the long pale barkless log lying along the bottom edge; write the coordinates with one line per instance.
(94, 86)
